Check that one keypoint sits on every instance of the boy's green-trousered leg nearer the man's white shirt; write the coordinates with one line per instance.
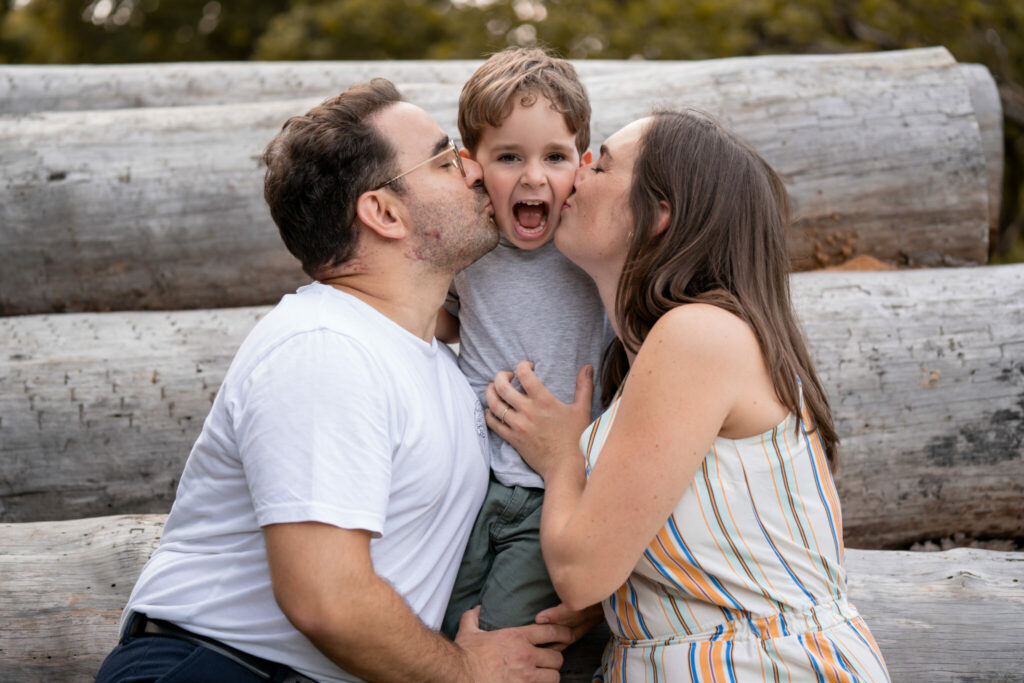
(477, 561)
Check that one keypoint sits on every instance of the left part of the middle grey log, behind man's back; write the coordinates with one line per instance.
(99, 412)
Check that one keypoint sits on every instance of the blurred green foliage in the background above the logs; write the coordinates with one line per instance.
(990, 32)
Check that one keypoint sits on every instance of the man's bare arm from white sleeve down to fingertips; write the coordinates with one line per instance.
(325, 583)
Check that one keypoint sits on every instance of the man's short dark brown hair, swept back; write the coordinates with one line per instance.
(318, 167)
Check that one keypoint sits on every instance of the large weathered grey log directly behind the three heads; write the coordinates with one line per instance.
(162, 208)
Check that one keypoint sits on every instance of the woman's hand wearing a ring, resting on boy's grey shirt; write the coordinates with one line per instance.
(543, 430)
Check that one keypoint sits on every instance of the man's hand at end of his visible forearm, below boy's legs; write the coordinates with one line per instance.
(511, 655)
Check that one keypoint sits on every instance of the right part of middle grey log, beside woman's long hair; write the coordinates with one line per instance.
(925, 371)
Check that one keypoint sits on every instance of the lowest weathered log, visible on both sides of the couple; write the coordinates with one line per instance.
(66, 584)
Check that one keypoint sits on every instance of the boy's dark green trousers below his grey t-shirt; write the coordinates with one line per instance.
(503, 570)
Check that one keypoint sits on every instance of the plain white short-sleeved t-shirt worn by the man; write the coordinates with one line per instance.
(331, 413)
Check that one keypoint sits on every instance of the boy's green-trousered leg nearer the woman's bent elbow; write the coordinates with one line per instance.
(519, 586)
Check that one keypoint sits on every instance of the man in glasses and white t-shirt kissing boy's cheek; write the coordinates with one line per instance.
(325, 507)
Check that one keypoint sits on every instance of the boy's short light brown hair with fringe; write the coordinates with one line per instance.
(521, 75)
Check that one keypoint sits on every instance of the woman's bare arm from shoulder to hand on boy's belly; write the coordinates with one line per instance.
(681, 390)
